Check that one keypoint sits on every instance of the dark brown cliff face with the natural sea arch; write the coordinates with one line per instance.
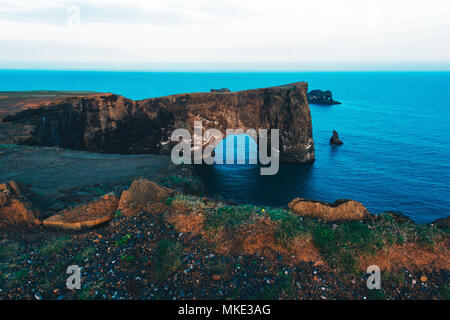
(114, 124)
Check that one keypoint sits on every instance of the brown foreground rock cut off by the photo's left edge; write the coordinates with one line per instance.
(15, 208)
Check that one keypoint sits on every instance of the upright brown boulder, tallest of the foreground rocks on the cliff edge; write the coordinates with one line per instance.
(142, 196)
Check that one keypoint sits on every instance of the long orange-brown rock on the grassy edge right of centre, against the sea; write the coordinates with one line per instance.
(339, 210)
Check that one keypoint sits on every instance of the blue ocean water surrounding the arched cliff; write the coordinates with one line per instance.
(395, 127)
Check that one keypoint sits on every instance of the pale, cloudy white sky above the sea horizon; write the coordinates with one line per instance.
(226, 35)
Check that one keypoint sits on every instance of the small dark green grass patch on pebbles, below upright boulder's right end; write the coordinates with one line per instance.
(169, 257)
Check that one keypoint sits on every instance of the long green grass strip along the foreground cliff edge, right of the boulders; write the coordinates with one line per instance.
(340, 243)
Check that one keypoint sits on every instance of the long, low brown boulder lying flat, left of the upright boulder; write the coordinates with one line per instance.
(85, 216)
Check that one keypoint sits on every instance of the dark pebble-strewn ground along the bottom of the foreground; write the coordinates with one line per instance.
(145, 257)
